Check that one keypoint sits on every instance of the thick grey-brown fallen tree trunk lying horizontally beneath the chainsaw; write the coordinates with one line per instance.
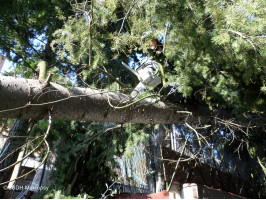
(28, 99)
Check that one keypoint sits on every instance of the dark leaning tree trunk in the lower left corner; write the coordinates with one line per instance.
(19, 128)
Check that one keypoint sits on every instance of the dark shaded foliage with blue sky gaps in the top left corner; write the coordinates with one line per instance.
(26, 32)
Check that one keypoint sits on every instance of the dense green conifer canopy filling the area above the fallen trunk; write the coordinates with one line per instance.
(213, 49)
